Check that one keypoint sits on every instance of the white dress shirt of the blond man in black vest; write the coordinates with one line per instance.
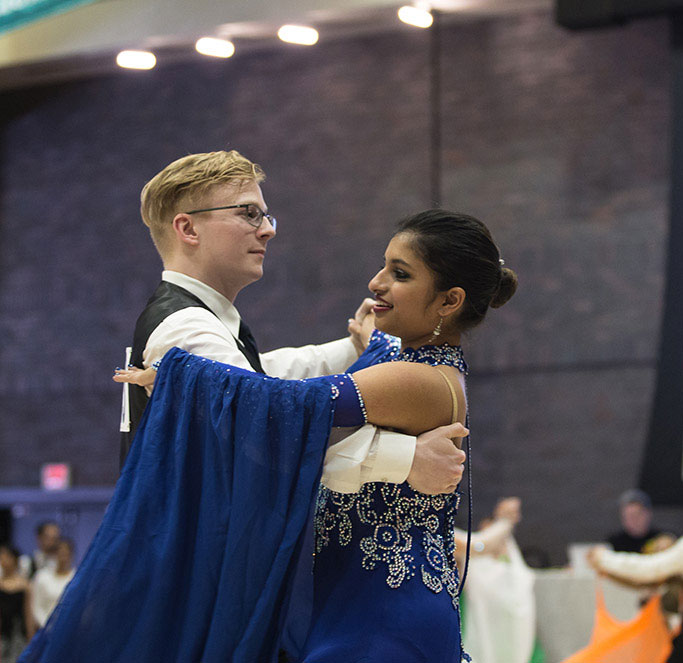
(354, 457)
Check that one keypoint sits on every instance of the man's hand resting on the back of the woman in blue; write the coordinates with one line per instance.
(438, 463)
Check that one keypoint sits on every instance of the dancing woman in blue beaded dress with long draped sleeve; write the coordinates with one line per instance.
(442, 273)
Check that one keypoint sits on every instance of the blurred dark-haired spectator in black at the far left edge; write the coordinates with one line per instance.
(14, 611)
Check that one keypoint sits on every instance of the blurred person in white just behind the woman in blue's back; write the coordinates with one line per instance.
(500, 609)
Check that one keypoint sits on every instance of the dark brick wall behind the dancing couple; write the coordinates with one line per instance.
(557, 140)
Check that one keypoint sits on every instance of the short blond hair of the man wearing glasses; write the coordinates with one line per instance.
(184, 181)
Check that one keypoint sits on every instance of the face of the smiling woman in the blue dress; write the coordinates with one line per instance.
(407, 304)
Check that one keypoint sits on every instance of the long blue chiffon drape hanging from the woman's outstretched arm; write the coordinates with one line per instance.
(194, 558)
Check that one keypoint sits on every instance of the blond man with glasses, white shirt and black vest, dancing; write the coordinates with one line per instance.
(209, 222)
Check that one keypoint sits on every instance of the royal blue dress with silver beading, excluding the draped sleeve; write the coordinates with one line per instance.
(385, 580)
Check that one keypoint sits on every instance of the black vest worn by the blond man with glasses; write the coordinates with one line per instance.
(167, 299)
